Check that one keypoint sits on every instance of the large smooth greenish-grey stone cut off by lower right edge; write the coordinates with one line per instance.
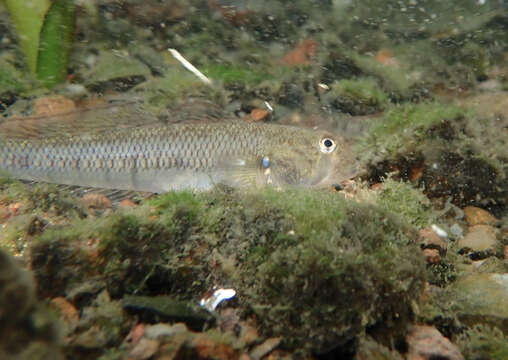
(482, 298)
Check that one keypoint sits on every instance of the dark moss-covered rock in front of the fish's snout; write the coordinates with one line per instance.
(445, 149)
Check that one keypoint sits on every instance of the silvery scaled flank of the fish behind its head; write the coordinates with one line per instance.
(196, 147)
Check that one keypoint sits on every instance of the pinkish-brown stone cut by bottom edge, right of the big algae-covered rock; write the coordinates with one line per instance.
(427, 343)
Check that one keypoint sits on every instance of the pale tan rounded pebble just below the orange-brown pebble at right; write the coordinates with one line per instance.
(479, 242)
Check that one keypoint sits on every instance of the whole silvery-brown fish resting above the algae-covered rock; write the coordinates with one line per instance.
(124, 147)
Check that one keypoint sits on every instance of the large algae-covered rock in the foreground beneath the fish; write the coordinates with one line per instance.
(353, 266)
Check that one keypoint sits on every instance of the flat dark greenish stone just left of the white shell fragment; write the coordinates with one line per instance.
(165, 308)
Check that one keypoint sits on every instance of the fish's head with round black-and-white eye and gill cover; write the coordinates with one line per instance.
(310, 158)
